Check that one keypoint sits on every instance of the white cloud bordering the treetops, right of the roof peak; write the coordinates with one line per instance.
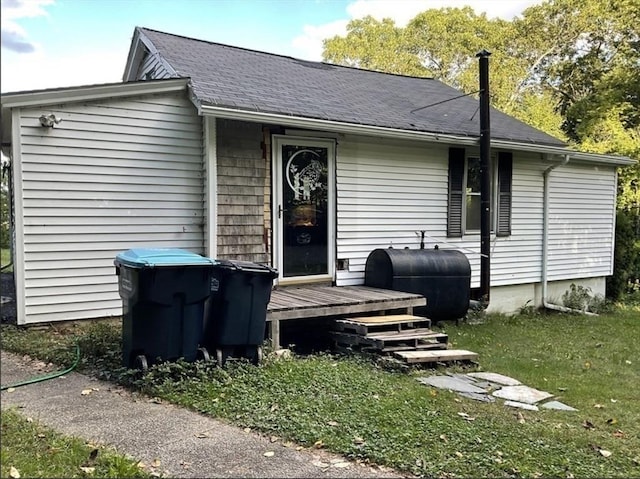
(309, 44)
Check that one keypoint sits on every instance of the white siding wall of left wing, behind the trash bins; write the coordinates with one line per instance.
(113, 175)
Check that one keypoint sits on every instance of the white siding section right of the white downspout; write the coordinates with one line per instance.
(581, 221)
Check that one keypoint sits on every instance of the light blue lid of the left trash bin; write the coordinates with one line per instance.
(152, 257)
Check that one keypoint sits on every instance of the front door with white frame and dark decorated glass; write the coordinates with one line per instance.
(303, 208)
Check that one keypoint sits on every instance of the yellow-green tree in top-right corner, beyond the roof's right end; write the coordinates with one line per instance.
(596, 80)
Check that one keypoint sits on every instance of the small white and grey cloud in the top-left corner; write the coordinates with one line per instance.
(14, 38)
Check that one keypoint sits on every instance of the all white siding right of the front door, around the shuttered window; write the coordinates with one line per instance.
(389, 191)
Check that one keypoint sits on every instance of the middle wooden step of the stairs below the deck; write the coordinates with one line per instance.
(394, 341)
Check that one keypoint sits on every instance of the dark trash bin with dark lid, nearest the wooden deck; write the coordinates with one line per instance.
(235, 321)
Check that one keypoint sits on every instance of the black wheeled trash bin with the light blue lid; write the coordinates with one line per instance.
(163, 293)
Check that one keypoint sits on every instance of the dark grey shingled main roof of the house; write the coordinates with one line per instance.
(237, 78)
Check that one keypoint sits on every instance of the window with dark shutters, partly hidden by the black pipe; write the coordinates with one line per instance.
(464, 194)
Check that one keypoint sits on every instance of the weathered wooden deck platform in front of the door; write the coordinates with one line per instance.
(298, 302)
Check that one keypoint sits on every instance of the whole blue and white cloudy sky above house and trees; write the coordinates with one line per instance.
(61, 43)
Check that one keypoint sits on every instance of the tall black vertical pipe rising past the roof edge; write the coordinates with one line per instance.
(485, 179)
